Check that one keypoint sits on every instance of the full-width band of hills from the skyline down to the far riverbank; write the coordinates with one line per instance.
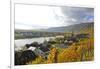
(53, 31)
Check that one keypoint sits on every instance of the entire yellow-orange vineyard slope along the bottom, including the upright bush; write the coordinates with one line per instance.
(83, 50)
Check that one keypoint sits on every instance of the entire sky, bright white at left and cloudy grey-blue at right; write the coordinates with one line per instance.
(43, 17)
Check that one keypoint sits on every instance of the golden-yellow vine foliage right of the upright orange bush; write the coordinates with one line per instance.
(82, 52)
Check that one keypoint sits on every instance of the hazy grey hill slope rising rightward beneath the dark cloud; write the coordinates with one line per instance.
(75, 28)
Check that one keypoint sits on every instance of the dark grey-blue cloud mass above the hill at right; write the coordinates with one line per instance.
(77, 14)
